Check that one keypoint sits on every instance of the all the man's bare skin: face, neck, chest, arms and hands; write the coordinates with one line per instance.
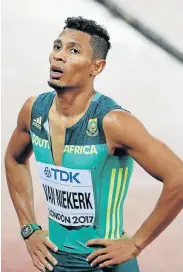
(74, 90)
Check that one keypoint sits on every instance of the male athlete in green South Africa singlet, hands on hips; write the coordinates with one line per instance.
(84, 144)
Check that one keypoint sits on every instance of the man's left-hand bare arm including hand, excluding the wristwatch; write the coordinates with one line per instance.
(20, 187)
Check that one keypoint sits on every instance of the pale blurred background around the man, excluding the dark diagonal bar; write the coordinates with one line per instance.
(139, 75)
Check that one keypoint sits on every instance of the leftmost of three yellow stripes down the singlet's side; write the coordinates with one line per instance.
(110, 203)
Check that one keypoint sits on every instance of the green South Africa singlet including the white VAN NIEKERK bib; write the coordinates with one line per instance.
(85, 195)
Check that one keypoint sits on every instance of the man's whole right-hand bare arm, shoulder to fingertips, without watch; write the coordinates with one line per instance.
(123, 130)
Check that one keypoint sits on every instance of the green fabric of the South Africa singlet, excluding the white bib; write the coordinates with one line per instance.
(85, 148)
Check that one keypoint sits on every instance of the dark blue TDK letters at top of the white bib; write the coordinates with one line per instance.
(65, 176)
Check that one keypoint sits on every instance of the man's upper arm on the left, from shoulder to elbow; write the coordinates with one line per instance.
(20, 147)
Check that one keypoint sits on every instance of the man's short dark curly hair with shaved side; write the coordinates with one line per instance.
(100, 40)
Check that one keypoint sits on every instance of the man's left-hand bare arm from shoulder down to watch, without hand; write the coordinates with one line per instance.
(18, 173)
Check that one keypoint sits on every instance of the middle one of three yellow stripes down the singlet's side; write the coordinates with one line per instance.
(115, 202)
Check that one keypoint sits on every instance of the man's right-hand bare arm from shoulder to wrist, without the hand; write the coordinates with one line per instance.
(159, 161)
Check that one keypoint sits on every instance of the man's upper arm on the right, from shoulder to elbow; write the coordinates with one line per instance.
(153, 155)
